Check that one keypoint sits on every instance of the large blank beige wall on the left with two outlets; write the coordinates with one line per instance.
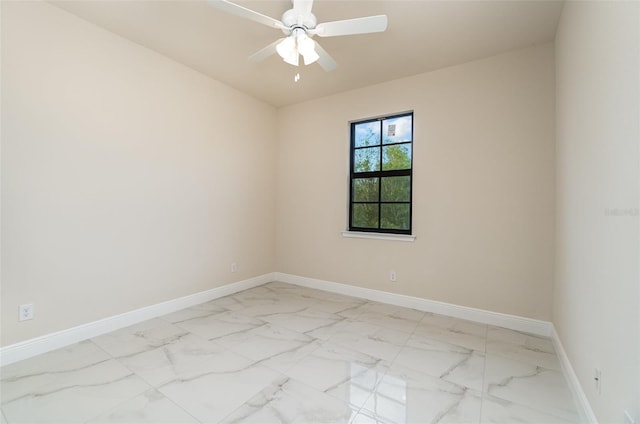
(127, 179)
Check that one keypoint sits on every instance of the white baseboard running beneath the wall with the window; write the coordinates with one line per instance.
(513, 322)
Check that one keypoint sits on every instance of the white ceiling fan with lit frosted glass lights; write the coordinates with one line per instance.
(299, 25)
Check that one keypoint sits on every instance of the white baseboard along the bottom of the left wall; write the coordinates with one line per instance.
(57, 340)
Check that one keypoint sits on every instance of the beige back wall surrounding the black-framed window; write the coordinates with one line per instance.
(483, 186)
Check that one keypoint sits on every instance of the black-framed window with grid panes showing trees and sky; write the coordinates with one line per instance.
(381, 173)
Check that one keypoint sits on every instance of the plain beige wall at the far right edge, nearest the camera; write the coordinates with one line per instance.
(596, 283)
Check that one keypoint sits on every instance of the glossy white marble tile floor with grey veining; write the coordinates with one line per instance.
(280, 353)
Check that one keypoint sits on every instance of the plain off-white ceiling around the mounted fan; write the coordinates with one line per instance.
(422, 35)
